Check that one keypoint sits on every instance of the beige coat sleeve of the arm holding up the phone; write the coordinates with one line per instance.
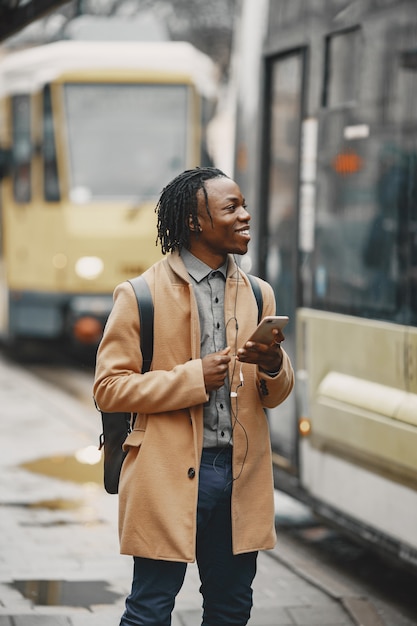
(274, 389)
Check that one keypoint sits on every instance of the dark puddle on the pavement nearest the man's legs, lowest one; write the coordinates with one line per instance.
(80, 593)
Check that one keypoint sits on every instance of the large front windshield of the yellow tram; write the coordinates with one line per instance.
(124, 139)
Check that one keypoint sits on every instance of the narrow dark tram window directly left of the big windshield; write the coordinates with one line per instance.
(50, 169)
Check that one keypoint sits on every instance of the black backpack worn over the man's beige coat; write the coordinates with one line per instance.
(117, 426)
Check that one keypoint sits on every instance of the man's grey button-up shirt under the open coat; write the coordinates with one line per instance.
(209, 287)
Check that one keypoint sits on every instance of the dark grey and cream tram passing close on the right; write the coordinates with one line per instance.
(326, 153)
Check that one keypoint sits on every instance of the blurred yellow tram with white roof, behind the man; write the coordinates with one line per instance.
(90, 132)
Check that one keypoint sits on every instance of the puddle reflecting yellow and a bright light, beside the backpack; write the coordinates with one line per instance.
(85, 466)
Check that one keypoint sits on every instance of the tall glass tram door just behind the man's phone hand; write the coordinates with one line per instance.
(278, 256)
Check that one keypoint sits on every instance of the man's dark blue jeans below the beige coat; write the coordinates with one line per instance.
(226, 579)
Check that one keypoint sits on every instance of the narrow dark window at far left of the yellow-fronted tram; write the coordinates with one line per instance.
(22, 148)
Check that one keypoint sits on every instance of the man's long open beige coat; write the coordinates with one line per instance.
(158, 487)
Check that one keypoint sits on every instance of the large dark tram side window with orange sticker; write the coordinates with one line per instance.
(365, 260)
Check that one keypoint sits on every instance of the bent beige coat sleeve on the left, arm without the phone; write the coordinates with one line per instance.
(119, 384)
